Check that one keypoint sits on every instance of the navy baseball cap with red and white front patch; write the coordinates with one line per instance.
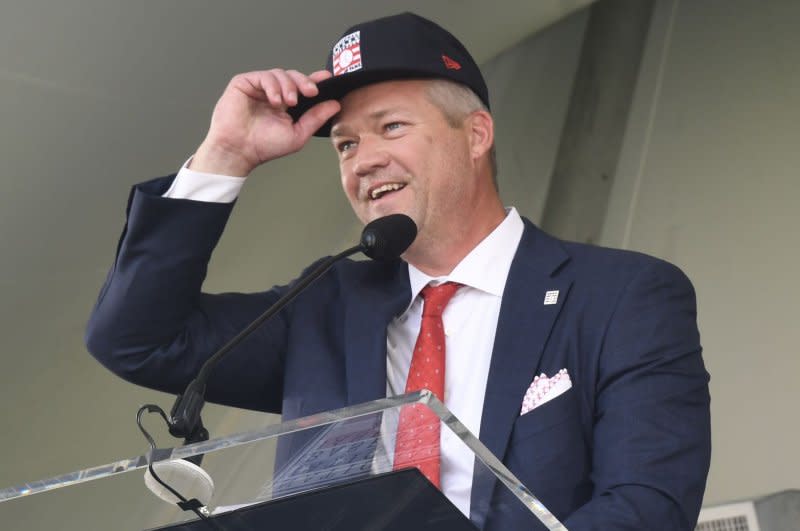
(404, 46)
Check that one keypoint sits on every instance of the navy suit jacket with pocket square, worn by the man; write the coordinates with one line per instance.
(627, 447)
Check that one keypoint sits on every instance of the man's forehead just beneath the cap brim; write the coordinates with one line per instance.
(378, 99)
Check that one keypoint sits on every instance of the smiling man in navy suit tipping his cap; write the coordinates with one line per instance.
(626, 445)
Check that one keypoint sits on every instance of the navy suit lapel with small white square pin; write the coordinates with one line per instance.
(523, 328)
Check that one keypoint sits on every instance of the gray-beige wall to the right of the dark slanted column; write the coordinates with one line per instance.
(709, 180)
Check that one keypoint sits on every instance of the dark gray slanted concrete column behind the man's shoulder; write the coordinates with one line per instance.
(593, 132)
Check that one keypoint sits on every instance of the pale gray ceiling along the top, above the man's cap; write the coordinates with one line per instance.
(176, 50)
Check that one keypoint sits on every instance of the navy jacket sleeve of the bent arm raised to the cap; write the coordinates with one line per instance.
(152, 325)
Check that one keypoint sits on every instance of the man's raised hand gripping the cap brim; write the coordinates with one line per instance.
(250, 125)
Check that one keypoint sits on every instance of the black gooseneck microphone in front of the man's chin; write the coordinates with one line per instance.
(383, 239)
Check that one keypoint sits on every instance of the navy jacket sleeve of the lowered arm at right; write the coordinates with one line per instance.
(651, 440)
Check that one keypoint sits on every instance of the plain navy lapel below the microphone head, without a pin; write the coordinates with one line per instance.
(380, 293)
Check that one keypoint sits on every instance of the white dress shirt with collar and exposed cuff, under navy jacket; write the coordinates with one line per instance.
(470, 322)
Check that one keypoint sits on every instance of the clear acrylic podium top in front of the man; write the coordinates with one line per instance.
(330, 450)
